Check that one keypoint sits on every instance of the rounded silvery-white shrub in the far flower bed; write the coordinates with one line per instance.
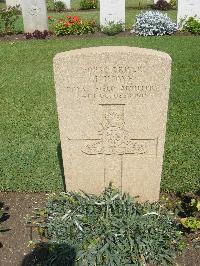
(153, 23)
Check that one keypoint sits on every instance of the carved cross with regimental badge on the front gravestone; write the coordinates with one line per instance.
(114, 142)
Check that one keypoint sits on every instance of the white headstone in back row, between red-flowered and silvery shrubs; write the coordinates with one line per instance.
(112, 11)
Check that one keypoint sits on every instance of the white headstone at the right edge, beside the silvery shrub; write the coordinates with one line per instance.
(186, 9)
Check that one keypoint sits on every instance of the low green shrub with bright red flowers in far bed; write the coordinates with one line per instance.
(72, 25)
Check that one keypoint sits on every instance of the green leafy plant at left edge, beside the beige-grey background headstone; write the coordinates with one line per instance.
(8, 18)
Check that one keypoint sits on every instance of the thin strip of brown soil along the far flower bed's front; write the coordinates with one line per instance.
(98, 34)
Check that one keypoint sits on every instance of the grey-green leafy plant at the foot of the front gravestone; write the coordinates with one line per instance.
(109, 229)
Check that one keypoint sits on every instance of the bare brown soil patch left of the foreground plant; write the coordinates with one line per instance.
(15, 239)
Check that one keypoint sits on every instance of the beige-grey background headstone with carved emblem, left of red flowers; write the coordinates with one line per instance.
(34, 15)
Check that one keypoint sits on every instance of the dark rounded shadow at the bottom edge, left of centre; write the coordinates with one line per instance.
(50, 254)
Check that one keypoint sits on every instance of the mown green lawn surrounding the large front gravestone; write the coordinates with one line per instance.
(29, 156)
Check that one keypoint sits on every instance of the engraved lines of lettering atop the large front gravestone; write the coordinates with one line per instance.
(112, 83)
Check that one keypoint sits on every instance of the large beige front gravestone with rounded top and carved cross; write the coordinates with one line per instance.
(112, 105)
